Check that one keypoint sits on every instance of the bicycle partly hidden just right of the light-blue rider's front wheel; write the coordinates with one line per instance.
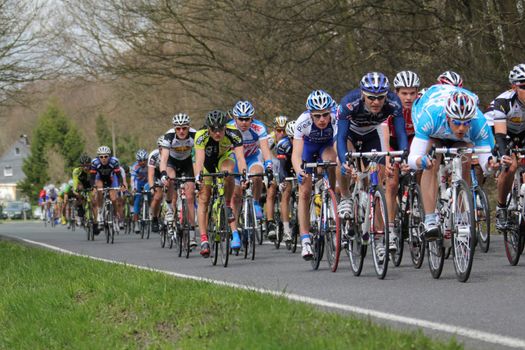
(481, 211)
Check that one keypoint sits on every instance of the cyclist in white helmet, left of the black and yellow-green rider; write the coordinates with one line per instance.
(176, 160)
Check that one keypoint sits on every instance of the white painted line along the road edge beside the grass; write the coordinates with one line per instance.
(461, 331)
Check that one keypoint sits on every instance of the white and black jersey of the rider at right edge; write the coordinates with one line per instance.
(507, 107)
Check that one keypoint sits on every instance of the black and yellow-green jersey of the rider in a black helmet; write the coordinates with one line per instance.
(214, 150)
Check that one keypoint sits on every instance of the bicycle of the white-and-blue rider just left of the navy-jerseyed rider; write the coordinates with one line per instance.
(325, 229)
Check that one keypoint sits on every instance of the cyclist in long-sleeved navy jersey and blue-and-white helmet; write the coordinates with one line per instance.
(360, 116)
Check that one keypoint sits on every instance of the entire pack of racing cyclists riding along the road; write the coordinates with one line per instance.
(373, 117)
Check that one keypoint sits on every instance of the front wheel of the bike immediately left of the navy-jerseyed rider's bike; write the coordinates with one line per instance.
(332, 230)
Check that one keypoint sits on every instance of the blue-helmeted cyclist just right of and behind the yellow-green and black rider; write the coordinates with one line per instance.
(256, 150)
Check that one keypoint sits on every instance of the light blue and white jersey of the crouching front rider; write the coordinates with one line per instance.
(430, 120)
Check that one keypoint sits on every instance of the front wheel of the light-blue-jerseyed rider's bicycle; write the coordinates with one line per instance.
(464, 238)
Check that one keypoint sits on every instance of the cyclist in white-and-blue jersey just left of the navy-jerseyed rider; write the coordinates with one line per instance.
(314, 134)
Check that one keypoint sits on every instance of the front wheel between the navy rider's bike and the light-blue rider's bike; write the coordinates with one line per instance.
(416, 228)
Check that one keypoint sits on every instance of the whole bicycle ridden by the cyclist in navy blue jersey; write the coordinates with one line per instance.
(369, 217)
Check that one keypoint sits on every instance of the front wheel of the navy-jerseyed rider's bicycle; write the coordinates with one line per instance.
(380, 235)
